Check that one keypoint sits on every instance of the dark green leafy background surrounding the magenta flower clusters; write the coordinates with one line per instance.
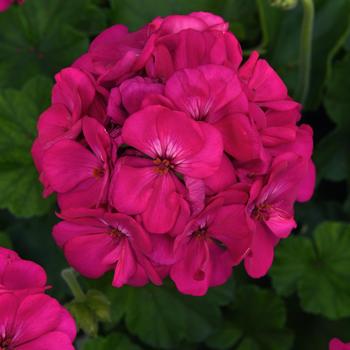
(305, 300)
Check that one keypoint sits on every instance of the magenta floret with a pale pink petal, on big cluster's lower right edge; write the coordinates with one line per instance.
(271, 208)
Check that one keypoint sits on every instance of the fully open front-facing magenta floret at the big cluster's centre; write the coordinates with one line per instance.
(171, 144)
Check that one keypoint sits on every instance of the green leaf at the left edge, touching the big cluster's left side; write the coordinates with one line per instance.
(20, 190)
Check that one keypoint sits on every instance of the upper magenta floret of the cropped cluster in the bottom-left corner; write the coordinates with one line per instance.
(20, 276)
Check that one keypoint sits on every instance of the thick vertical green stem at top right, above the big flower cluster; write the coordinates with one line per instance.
(305, 50)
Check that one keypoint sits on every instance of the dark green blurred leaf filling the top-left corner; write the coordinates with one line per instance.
(41, 37)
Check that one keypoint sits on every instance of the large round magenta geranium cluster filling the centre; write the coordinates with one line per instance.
(170, 156)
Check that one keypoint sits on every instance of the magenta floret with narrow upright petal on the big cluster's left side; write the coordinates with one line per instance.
(80, 176)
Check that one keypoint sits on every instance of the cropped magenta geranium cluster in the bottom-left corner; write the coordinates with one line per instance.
(30, 319)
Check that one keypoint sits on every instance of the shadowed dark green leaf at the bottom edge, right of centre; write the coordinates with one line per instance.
(257, 321)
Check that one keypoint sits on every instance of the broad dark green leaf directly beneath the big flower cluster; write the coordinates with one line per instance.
(162, 317)
